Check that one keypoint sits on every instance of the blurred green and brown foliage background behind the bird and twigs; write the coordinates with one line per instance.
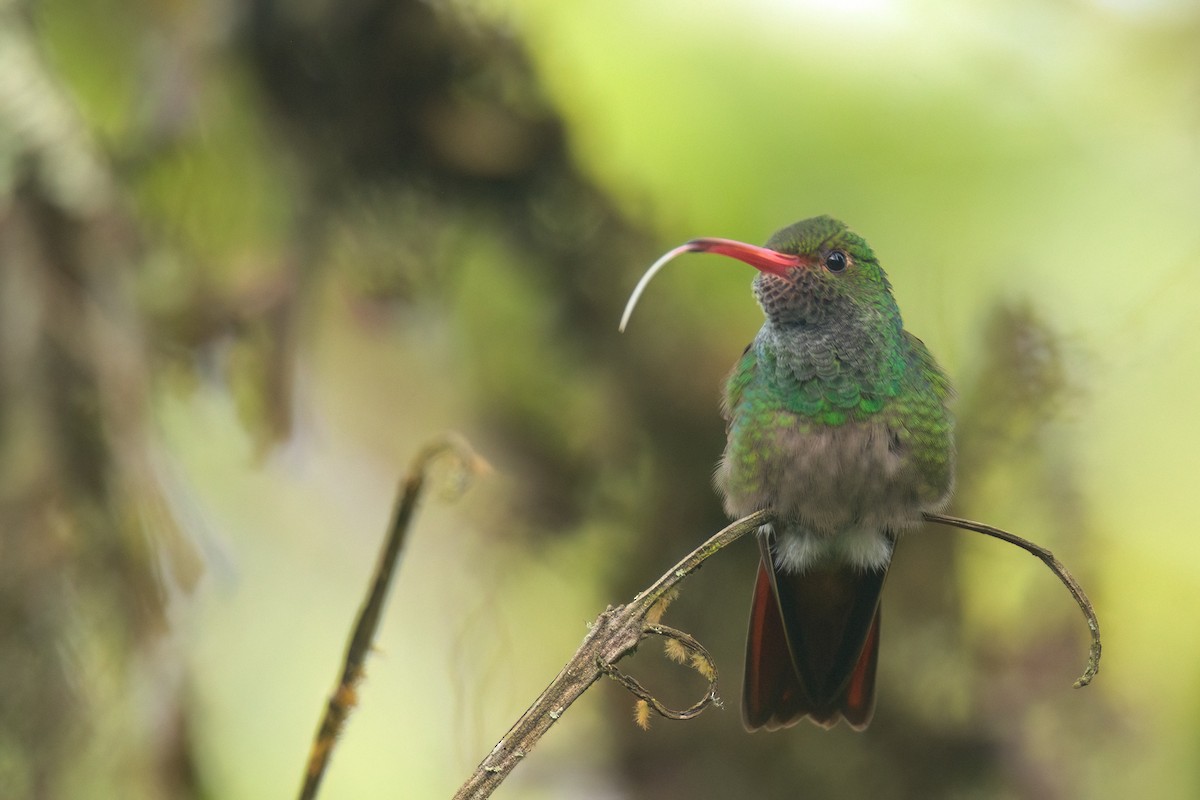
(254, 255)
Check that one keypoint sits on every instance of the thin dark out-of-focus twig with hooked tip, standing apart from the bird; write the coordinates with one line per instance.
(344, 699)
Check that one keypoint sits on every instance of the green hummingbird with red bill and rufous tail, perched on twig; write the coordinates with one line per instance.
(837, 423)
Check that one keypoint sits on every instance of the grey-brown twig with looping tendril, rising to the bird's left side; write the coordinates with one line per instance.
(615, 635)
